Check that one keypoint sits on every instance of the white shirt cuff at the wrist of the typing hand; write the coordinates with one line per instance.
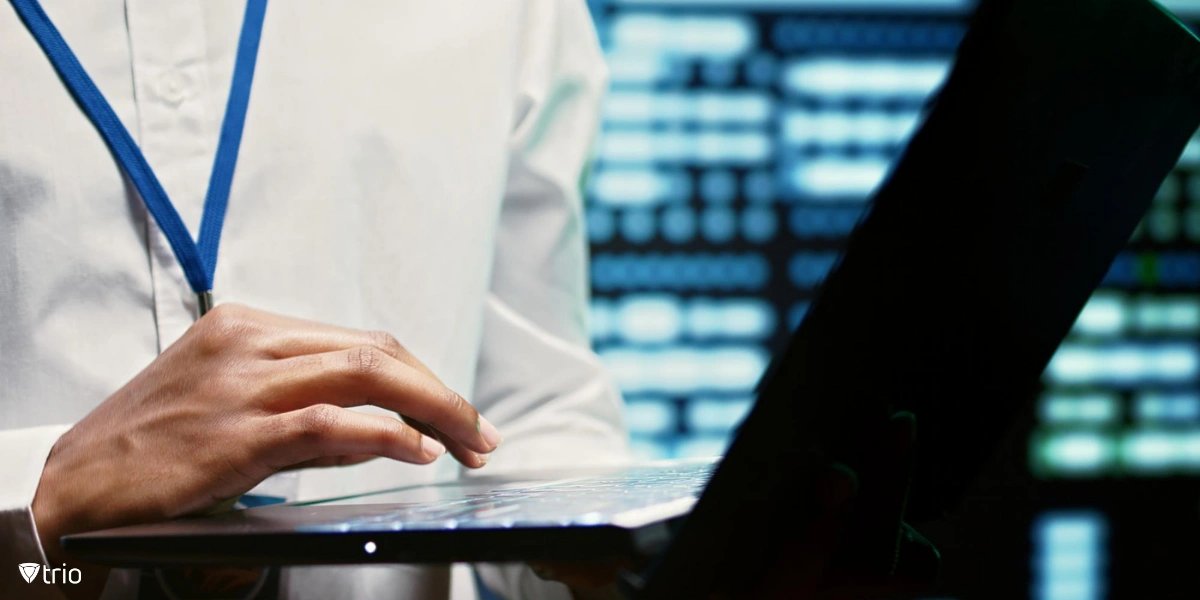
(25, 454)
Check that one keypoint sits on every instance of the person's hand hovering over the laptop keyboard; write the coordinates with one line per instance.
(241, 397)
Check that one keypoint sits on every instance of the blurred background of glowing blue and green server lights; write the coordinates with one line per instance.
(741, 143)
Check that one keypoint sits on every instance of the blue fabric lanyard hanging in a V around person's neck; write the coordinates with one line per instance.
(199, 260)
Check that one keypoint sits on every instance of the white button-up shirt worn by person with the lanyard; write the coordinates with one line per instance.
(407, 166)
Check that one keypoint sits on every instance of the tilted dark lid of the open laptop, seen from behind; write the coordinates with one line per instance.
(1041, 157)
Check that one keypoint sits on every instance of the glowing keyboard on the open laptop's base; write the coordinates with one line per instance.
(622, 499)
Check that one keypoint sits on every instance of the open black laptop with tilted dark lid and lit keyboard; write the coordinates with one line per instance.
(1030, 173)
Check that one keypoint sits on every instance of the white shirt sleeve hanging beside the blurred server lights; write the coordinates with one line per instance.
(538, 380)
